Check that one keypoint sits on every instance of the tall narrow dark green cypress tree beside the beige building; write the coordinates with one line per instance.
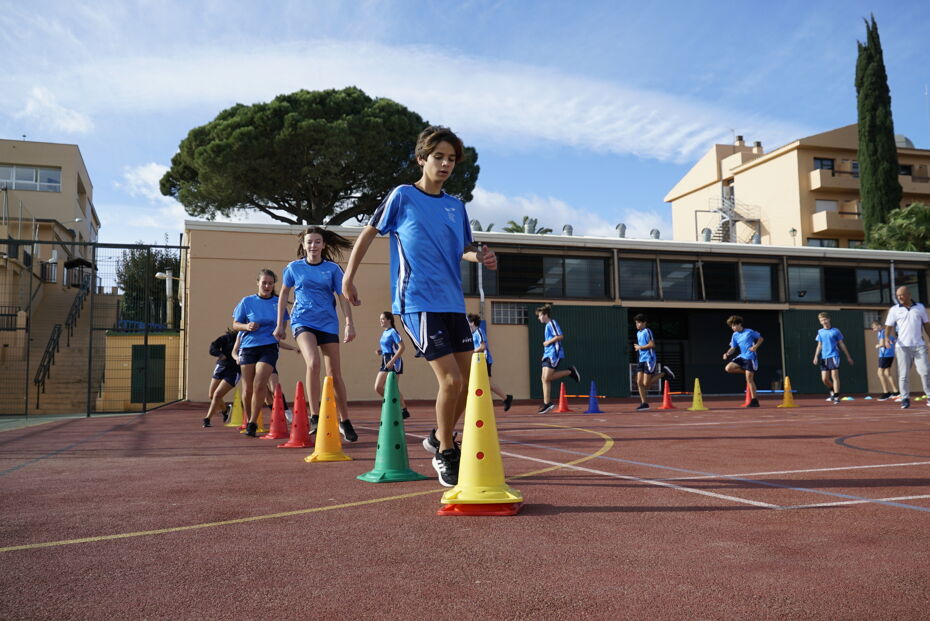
(879, 188)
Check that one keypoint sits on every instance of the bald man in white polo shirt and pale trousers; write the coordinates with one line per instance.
(908, 319)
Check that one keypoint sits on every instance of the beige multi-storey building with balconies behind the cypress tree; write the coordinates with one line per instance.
(805, 193)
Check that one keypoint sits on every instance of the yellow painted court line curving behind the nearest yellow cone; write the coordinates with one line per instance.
(608, 444)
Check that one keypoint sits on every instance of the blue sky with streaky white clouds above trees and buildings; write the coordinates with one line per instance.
(584, 113)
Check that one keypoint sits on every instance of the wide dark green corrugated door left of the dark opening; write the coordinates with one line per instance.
(595, 341)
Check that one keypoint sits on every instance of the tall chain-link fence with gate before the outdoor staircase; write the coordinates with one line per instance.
(90, 328)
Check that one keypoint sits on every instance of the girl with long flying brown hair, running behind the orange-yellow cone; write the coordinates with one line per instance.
(316, 279)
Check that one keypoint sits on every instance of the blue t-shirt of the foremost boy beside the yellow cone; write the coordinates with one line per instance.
(429, 234)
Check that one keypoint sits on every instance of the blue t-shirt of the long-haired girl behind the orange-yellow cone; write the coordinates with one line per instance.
(314, 288)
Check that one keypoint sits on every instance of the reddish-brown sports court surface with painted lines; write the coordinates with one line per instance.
(817, 512)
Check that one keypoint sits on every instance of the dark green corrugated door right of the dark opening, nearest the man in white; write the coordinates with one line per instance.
(800, 330)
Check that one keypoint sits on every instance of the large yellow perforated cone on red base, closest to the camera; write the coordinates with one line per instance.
(481, 489)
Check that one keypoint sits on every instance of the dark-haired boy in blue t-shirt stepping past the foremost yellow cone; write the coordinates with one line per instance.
(429, 236)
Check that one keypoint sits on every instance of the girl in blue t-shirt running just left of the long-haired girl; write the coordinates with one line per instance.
(256, 315)
